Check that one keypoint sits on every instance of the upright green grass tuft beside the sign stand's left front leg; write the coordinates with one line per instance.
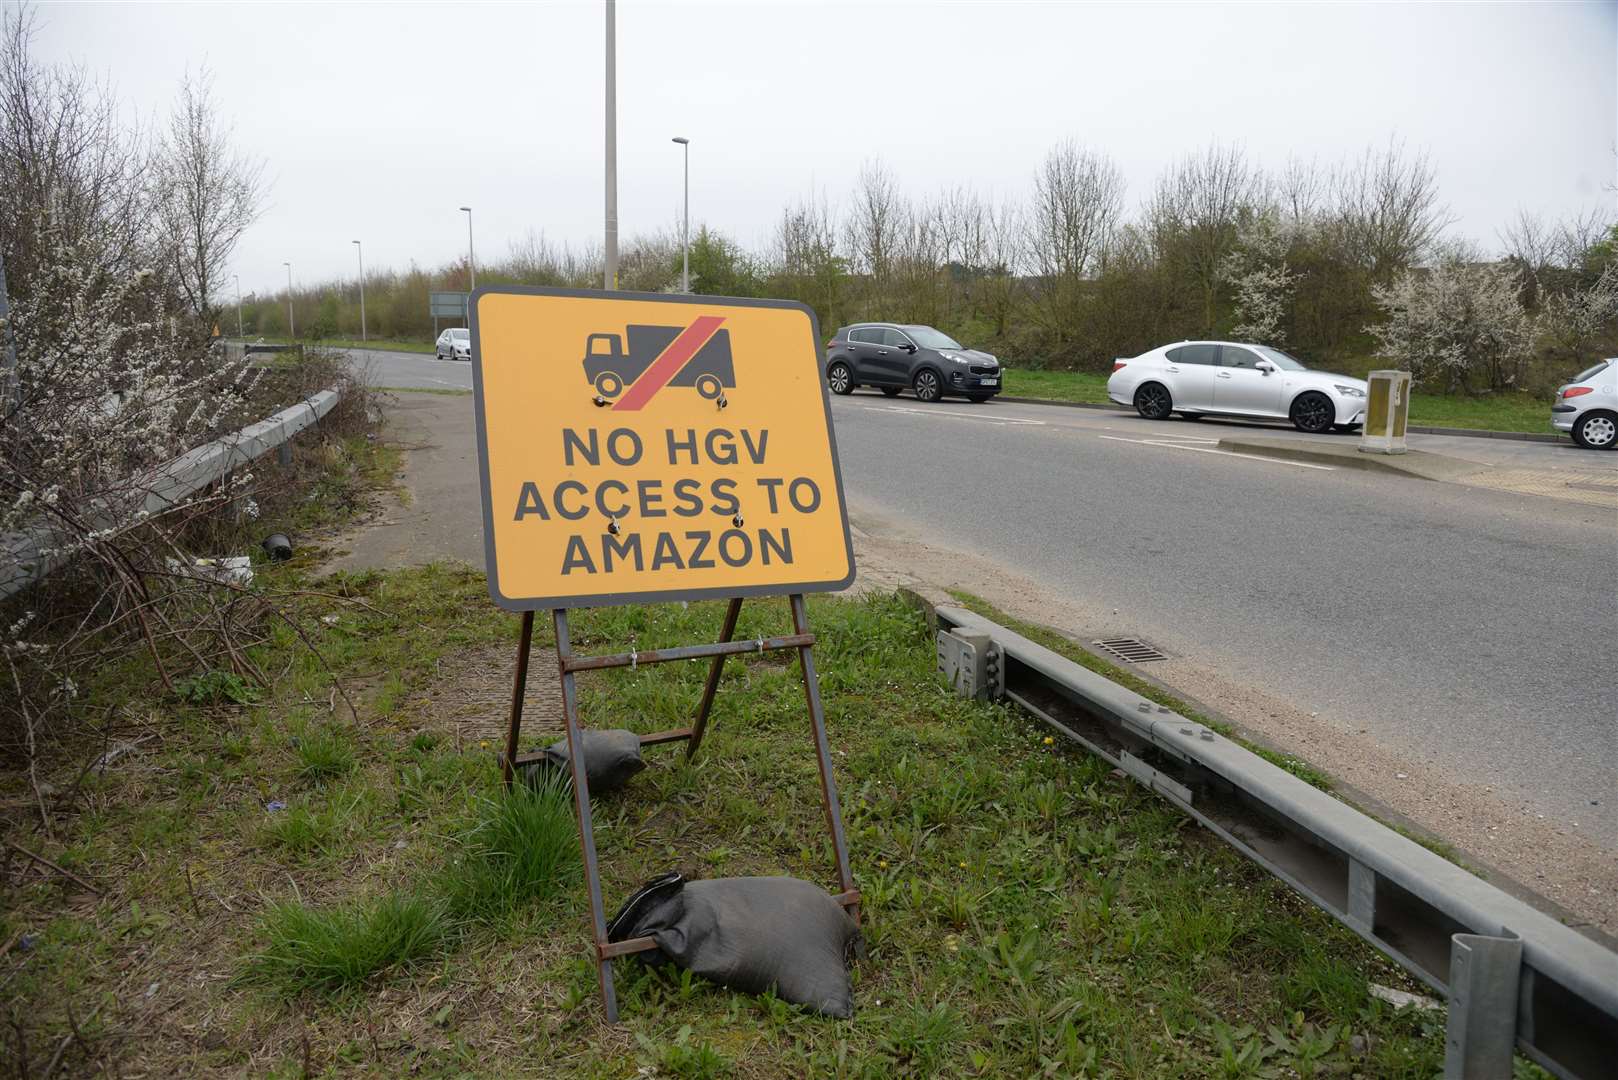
(523, 848)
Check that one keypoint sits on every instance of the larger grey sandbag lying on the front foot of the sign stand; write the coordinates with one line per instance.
(750, 935)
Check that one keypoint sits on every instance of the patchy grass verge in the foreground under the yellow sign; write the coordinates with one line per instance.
(1027, 912)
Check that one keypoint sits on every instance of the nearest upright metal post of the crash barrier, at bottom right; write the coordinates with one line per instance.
(1481, 1032)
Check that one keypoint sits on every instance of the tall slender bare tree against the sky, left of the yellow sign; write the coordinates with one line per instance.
(208, 195)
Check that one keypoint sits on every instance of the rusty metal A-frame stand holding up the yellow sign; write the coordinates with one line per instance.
(569, 663)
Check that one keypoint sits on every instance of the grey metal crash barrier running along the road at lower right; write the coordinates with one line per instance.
(1515, 977)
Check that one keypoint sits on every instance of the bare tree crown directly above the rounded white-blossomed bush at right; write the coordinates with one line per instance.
(1387, 210)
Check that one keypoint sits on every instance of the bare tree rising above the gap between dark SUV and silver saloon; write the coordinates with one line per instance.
(1078, 202)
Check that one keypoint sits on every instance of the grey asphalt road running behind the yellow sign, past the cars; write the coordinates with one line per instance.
(1467, 627)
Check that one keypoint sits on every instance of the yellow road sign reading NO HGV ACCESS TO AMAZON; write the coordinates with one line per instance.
(646, 448)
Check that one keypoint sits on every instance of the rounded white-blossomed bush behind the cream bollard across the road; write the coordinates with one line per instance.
(1459, 325)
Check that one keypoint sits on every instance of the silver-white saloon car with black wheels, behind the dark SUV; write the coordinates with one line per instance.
(1232, 380)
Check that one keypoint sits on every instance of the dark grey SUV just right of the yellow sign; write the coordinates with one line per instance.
(894, 357)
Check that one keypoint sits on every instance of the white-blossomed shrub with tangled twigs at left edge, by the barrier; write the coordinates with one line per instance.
(108, 386)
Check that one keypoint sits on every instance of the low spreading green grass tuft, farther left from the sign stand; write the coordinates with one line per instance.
(342, 948)
